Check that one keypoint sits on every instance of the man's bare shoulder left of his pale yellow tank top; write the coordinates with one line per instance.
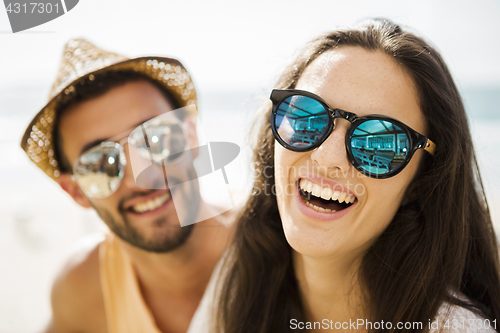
(77, 301)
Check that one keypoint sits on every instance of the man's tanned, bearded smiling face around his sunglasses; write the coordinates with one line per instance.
(144, 218)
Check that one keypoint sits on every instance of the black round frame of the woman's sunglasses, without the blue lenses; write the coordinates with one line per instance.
(416, 140)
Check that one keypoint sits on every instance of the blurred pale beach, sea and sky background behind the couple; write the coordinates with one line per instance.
(234, 52)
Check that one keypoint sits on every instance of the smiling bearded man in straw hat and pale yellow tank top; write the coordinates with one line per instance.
(149, 273)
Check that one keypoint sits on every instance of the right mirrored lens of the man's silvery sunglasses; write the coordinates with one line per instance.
(159, 140)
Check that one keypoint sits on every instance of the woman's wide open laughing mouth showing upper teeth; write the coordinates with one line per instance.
(324, 199)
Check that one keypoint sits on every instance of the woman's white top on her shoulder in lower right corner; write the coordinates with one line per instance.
(457, 319)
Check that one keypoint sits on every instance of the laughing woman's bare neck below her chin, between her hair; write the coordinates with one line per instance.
(329, 288)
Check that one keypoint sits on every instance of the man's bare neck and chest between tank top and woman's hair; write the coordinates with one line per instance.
(172, 284)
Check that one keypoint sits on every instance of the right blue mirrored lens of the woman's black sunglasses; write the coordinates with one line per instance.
(379, 147)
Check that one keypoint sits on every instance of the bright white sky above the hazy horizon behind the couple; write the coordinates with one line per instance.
(246, 44)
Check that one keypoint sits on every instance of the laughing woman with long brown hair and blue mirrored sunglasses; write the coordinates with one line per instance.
(380, 218)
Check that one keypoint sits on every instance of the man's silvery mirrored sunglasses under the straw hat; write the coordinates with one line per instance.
(99, 170)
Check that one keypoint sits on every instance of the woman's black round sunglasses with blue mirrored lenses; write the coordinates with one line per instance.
(377, 146)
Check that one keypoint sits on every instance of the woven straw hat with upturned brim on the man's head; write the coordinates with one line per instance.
(82, 60)
